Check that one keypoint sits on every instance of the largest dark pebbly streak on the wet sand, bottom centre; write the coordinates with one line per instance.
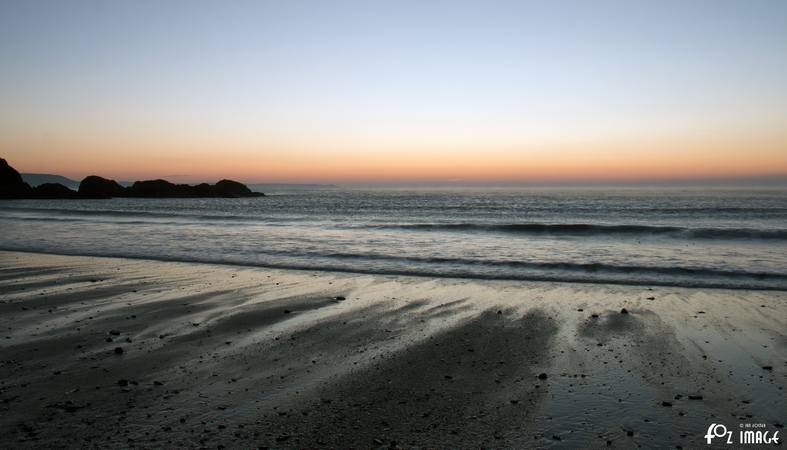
(470, 386)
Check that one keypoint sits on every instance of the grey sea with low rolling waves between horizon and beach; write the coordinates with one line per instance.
(683, 237)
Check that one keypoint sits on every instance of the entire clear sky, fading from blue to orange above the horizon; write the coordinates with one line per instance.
(394, 91)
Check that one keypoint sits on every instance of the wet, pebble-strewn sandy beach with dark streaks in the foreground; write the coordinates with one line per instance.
(105, 352)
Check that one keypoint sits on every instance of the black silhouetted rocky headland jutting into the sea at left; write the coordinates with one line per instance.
(12, 186)
